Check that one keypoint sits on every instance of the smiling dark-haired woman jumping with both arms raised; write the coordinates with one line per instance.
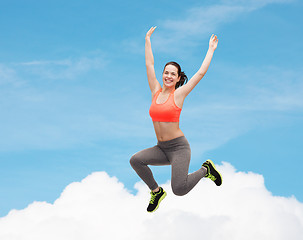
(172, 147)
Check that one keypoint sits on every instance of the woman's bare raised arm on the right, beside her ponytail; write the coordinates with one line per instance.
(188, 87)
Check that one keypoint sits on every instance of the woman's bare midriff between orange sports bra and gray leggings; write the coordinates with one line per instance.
(166, 131)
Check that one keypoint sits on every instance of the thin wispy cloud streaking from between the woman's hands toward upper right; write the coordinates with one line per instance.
(199, 22)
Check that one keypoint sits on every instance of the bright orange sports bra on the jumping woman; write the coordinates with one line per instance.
(165, 112)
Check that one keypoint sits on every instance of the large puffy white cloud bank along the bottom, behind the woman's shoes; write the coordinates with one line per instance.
(99, 207)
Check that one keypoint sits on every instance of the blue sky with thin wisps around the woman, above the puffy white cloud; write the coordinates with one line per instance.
(74, 96)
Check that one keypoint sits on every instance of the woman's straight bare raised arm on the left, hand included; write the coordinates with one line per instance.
(149, 62)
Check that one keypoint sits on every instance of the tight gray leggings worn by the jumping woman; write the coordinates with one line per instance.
(175, 152)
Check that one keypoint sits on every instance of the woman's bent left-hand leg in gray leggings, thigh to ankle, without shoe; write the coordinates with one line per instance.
(150, 156)
